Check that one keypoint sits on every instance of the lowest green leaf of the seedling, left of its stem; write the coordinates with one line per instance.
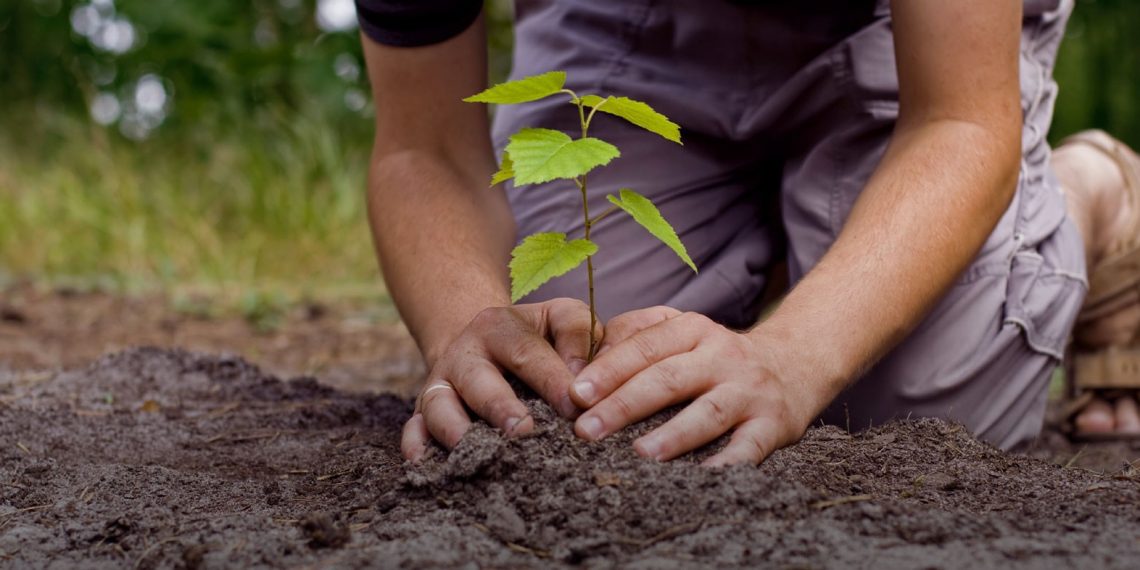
(543, 257)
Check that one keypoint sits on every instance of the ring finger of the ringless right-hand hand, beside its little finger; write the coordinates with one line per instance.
(703, 421)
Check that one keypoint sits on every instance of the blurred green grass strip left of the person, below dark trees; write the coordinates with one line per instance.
(279, 209)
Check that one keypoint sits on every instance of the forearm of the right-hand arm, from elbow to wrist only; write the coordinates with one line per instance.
(937, 197)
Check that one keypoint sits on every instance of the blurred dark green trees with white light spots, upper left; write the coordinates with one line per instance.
(210, 63)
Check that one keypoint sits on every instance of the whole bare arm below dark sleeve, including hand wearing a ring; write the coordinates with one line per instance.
(444, 240)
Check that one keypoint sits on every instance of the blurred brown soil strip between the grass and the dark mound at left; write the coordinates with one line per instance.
(348, 345)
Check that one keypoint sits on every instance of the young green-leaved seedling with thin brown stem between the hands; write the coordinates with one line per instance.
(541, 156)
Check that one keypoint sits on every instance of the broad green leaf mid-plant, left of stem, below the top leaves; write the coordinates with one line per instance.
(540, 156)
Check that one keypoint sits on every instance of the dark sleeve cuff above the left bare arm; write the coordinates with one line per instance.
(411, 23)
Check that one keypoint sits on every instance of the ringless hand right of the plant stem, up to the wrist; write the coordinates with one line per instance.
(659, 357)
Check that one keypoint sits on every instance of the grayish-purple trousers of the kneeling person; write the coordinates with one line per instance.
(787, 109)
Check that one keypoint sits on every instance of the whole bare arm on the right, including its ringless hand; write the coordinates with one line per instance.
(947, 178)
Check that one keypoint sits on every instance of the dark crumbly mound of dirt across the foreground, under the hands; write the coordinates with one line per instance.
(158, 459)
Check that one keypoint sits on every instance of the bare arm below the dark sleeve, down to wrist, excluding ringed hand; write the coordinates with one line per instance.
(443, 237)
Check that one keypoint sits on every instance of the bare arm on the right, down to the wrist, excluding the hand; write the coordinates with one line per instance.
(948, 176)
